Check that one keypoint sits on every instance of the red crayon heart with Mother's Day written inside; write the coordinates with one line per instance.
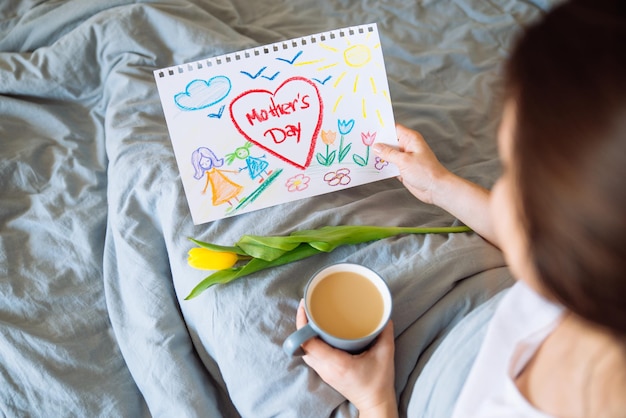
(285, 123)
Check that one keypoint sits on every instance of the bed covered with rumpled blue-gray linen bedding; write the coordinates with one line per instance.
(94, 224)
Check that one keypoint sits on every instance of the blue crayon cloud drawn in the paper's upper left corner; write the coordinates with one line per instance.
(200, 94)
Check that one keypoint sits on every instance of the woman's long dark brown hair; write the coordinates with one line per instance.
(567, 78)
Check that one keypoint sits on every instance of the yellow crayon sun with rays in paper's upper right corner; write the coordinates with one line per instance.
(354, 74)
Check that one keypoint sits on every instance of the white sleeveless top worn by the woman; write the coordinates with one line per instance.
(520, 324)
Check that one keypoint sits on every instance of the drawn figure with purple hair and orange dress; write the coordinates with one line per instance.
(223, 189)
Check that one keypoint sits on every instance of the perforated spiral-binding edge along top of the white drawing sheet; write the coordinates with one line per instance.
(265, 49)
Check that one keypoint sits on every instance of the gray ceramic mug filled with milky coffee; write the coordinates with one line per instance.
(347, 306)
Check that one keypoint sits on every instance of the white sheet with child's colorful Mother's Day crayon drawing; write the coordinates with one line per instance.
(279, 122)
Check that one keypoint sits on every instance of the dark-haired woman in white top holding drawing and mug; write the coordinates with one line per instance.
(556, 345)
